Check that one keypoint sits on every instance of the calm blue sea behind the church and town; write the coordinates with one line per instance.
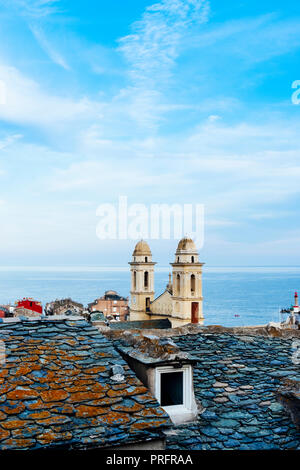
(256, 294)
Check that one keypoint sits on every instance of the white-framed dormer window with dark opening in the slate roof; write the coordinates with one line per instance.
(173, 388)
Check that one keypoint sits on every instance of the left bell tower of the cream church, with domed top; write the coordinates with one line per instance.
(142, 282)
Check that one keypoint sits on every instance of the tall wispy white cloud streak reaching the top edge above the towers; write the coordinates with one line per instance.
(151, 52)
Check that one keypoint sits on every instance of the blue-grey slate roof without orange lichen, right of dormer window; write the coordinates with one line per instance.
(236, 379)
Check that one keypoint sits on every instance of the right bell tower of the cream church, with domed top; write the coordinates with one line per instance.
(187, 282)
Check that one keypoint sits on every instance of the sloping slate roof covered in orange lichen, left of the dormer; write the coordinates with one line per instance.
(56, 389)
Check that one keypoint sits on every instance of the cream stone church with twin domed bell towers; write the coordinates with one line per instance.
(181, 302)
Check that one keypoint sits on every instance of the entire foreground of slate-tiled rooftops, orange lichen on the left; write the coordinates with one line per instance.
(64, 384)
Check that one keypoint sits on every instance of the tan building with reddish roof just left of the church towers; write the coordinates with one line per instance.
(113, 306)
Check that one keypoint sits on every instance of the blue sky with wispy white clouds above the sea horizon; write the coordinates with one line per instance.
(174, 102)
